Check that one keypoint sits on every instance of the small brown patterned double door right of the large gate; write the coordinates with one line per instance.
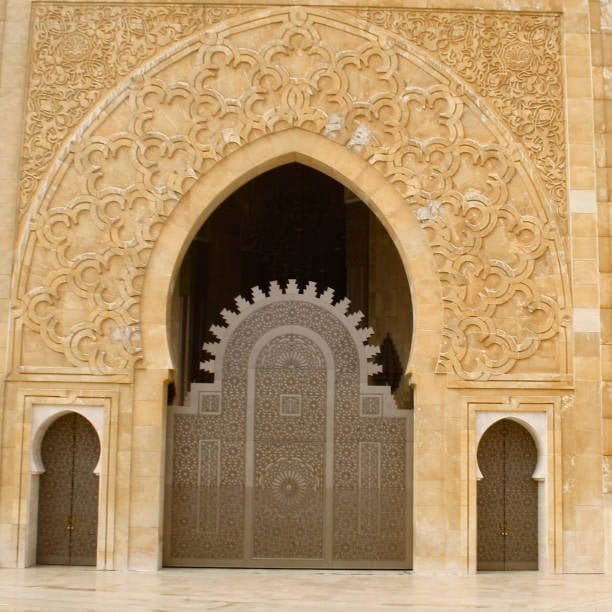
(507, 506)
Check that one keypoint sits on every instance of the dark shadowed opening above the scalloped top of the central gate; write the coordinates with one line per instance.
(292, 222)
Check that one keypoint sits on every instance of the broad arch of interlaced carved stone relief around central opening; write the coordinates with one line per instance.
(86, 245)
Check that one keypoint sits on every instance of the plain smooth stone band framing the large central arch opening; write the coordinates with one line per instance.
(332, 159)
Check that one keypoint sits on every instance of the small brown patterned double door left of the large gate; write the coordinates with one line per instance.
(68, 493)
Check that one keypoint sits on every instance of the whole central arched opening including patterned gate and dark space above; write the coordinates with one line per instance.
(256, 478)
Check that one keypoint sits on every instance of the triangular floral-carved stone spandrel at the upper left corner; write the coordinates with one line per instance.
(79, 52)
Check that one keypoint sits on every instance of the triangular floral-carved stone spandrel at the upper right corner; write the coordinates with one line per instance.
(512, 60)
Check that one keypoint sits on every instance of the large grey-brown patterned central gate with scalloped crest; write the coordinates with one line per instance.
(289, 458)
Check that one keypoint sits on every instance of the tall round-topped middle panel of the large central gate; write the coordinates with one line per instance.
(289, 454)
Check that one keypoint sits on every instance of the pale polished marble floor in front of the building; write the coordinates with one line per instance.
(60, 588)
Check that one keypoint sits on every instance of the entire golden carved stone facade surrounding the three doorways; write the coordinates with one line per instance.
(472, 137)
